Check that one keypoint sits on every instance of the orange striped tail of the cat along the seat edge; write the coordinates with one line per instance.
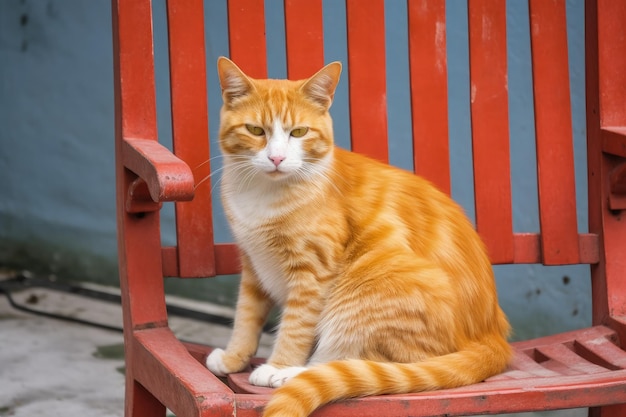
(338, 380)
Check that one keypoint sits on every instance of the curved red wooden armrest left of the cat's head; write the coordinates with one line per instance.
(167, 177)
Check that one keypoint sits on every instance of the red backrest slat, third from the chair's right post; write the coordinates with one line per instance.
(429, 91)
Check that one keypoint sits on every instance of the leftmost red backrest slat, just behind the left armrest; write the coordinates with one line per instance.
(190, 132)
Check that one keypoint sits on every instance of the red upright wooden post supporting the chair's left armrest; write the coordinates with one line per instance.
(135, 117)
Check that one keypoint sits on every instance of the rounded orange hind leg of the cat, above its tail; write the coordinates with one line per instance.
(392, 306)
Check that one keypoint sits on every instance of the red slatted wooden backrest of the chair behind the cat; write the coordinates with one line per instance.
(558, 241)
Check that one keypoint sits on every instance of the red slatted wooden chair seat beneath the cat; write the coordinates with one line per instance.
(559, 371)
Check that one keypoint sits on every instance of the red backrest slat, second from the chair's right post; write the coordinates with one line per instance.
(490, 127)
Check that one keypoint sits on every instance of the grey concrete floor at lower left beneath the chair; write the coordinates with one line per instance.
(55, 368)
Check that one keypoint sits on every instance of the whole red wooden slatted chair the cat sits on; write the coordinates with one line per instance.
(584, 368)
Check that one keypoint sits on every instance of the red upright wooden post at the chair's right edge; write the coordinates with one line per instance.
(603, 37)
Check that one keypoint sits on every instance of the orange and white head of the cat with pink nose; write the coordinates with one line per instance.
(277, 128)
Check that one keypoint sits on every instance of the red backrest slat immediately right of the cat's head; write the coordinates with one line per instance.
(367, 83)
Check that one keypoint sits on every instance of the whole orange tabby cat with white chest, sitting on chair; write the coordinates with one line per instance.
(384, 284)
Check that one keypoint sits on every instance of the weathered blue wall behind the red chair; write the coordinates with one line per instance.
(57, 210)
